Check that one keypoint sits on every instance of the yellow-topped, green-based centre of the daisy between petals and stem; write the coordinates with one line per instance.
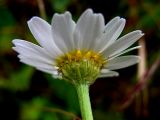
(80, 66)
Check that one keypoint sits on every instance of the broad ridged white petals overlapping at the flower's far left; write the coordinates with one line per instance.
(34, 55)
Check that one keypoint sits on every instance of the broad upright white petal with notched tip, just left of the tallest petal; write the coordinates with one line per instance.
(62, 30)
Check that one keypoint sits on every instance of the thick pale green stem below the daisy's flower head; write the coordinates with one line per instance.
(84, 101)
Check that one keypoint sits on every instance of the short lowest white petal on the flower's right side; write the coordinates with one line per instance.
(108, 73)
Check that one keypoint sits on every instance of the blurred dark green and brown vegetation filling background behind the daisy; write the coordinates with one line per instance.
(28, 94)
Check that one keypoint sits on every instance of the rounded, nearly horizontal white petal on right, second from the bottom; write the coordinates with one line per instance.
(122, 62)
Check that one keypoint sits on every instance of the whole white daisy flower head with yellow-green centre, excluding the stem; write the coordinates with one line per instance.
(84, 50)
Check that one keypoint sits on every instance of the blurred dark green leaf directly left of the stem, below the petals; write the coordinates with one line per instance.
(66, 92)
